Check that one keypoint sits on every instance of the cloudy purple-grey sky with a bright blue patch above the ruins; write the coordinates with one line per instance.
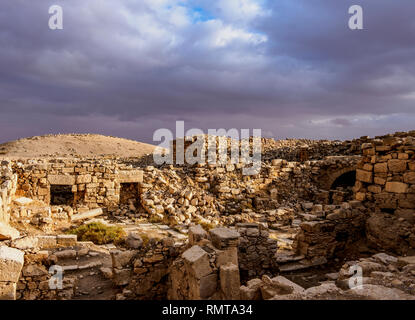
(125, 68)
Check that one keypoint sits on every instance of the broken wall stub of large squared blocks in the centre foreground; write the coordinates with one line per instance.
(209, 269)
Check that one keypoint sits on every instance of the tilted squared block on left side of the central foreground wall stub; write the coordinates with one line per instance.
(197, 262)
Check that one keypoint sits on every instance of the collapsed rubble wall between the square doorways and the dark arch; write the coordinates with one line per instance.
(213, 193)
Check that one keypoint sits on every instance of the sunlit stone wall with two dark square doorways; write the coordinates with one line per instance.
(92, 183)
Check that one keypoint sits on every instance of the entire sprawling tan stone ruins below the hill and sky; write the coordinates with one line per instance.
(316, 210)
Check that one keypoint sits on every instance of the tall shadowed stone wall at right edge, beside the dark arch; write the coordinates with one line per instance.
(386, 185)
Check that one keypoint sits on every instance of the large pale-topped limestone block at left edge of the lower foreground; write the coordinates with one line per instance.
(11, 263)
